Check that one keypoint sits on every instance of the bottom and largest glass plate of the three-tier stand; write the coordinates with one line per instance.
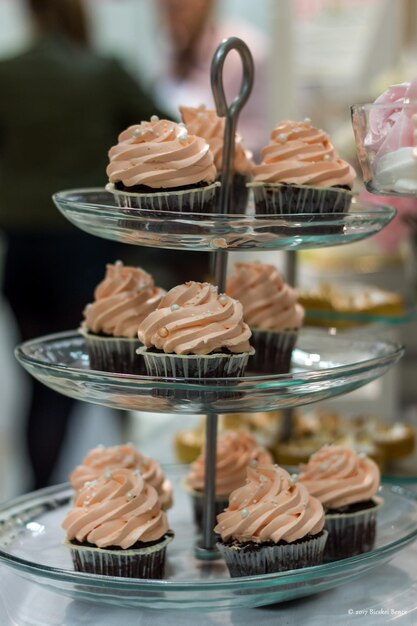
(31, 542)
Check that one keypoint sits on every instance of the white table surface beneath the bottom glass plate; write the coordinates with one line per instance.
(386, 595)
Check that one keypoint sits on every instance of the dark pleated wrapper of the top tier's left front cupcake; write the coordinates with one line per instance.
(197, 200)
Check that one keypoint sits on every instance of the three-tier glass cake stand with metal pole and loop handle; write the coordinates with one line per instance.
(323, 365)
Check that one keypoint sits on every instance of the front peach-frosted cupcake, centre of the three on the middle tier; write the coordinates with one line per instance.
(195, 333)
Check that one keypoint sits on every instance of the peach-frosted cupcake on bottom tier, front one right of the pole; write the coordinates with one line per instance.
(272, 524)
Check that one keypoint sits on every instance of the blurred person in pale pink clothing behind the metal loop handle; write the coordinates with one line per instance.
(194, 31)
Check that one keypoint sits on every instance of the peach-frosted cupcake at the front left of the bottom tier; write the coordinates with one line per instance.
(117, 528)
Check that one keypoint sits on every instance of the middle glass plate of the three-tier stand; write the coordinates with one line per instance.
(323, 365)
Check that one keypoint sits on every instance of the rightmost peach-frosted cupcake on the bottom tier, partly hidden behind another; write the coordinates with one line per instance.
(346, 484)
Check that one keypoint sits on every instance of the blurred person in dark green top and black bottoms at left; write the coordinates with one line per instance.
(61, 108)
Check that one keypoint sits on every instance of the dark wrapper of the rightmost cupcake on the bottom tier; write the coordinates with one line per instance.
(351, 533)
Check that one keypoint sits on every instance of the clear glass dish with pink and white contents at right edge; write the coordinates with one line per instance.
(385, 135)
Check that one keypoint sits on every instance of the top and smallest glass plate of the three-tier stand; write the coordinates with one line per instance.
(96, 212)
